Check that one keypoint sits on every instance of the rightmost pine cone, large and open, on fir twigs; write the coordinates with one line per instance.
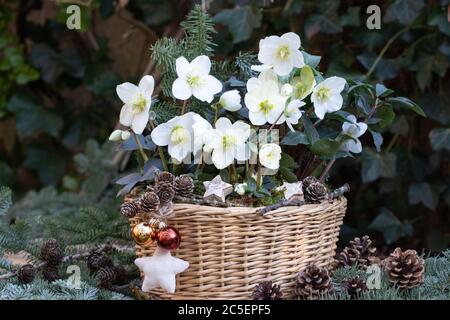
(405, 268)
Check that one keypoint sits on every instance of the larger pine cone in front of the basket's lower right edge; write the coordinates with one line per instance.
(312, 282)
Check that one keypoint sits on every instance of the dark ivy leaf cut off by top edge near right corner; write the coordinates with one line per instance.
(404, 11)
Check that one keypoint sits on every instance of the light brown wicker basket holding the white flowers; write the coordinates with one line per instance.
(230, 250)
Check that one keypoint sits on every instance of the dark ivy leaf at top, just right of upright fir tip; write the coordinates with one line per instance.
(240, 21)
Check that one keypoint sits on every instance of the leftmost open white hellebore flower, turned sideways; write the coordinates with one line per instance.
(137, 101)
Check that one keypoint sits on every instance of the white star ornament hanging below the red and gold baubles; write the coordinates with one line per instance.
(160, 270)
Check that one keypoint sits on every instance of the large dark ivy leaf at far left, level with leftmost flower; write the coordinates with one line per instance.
(31, 118)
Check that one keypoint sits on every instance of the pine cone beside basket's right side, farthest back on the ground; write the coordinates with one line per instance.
(361, 251)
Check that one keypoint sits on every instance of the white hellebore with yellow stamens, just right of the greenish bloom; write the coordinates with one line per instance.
(326, 96)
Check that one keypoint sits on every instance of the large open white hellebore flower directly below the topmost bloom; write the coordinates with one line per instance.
(264, 101)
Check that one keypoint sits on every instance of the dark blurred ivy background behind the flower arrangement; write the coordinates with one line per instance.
(57, 97)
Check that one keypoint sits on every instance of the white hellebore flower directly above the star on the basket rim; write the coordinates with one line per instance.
(228, 142)
